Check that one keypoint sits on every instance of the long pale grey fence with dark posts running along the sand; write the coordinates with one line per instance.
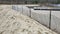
(49, 18)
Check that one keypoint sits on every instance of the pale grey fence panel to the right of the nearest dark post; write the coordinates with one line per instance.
(55, 21)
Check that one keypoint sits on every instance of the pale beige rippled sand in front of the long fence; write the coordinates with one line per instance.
(12, 22)
